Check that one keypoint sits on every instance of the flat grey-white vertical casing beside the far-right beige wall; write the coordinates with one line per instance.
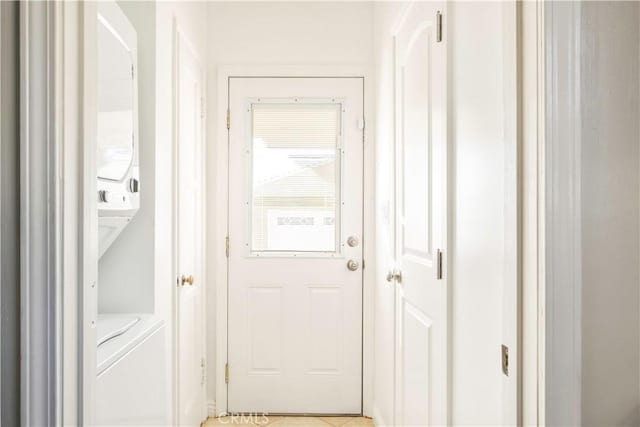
(562, 216)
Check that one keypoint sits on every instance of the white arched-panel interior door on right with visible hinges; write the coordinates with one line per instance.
(421, 297)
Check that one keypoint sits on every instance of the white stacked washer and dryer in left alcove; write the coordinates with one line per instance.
(130, 382)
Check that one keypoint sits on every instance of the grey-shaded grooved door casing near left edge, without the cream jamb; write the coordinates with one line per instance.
(40, 209)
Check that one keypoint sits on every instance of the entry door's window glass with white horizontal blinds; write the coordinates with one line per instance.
(295, 177)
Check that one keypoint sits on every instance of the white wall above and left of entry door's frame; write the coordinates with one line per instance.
(273, 33)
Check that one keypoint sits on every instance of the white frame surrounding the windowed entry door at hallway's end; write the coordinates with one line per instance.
(220, 217)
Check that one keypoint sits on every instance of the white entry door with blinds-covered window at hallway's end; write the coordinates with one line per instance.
(295, 259)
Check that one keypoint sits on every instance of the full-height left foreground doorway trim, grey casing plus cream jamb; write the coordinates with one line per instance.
(53, 213)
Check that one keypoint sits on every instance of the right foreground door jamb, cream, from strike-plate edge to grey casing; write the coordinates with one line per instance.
(525, 183)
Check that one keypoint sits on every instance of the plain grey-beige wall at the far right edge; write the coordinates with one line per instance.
(609, 48)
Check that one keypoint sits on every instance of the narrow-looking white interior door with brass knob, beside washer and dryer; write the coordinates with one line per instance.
(189, 150)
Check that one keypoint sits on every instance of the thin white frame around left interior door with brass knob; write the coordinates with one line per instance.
(181, 41)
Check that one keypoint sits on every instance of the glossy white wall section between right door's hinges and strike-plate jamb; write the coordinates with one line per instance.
(477, 168)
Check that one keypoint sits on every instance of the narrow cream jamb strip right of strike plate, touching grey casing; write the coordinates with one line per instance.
(532, 94)
